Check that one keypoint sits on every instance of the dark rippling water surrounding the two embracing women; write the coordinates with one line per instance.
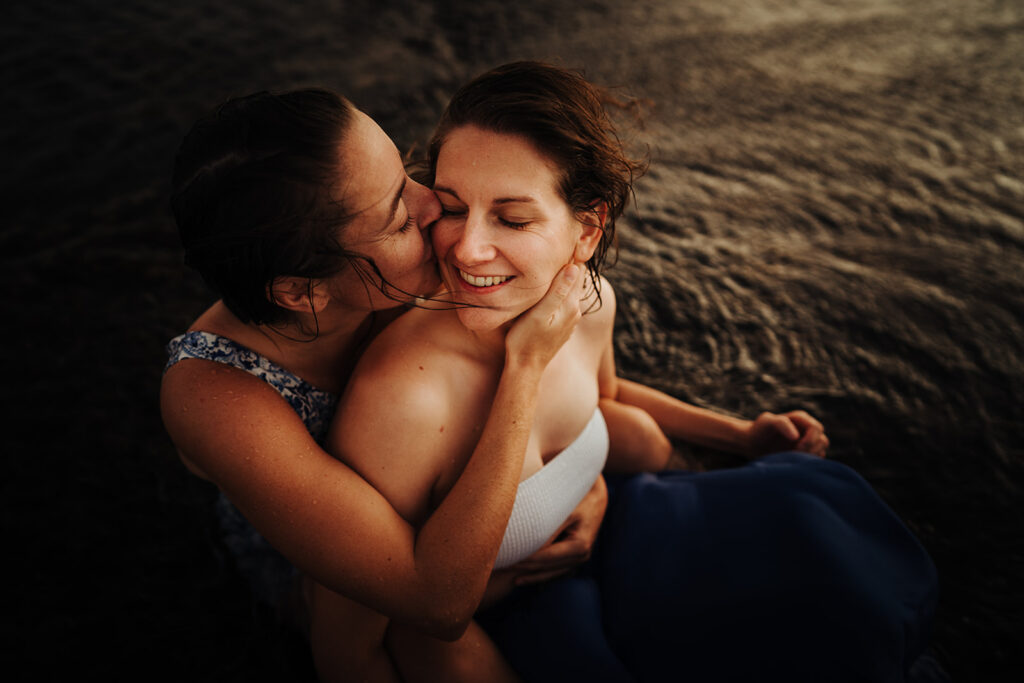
(834, 220)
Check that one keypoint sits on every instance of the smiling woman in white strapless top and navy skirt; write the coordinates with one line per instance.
(532, 178)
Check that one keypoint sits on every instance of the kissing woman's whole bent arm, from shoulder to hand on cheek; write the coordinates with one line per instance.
(329, 522)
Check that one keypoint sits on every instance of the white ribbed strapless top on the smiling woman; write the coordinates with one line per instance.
(545, 499)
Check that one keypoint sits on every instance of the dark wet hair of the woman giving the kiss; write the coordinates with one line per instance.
(255, 198)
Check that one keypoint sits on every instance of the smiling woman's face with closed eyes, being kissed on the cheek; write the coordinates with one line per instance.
(505, 231)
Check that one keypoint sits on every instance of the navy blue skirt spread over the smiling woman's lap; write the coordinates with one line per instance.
(791, 569)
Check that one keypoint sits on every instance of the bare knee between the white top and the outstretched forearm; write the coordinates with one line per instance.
(637, 444)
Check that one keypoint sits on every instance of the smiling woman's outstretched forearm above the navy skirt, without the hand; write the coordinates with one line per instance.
(685, 421)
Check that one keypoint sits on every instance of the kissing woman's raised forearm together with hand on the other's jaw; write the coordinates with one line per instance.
(455, 550)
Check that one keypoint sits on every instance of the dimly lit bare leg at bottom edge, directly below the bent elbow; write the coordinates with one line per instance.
(473, 659)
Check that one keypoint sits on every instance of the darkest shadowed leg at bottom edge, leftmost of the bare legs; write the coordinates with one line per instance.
(348, 639)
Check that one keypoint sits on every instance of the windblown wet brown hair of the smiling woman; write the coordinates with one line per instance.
(565, 117)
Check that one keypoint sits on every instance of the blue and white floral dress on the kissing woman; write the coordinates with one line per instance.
(271, 577)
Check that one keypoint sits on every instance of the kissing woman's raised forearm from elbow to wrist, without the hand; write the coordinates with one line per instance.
(456, 548)
